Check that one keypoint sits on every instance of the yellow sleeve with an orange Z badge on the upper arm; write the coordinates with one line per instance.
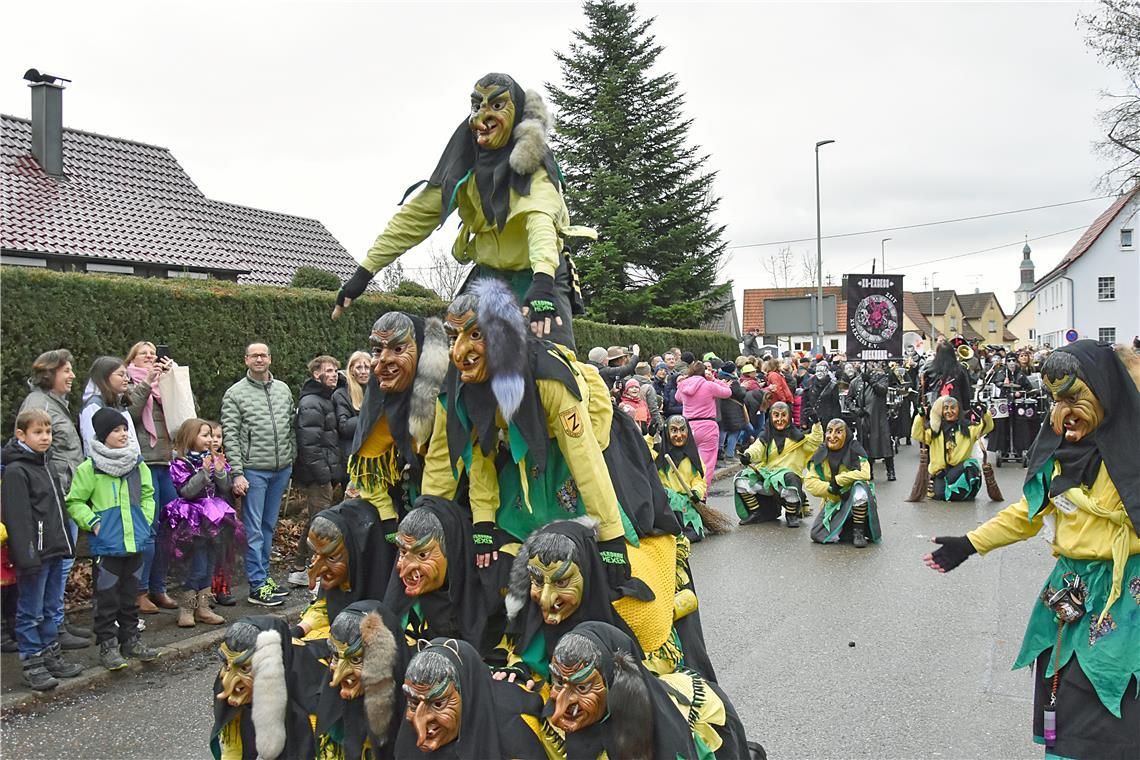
(568, 422)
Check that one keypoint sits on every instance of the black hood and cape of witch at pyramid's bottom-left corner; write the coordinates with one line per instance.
(299, 741)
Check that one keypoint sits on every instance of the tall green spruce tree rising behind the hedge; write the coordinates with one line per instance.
(621, 138)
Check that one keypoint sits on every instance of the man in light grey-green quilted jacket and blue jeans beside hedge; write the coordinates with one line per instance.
(257, 420)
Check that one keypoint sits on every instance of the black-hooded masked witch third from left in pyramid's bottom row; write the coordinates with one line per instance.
(457, 710)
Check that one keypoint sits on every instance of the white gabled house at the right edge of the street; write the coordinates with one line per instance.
(1095, 290)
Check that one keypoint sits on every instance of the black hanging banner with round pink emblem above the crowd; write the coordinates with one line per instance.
(875, 317)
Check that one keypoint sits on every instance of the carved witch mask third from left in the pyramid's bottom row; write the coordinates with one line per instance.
(435, 705)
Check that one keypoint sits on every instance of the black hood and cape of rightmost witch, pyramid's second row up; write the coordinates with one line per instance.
(596, 595)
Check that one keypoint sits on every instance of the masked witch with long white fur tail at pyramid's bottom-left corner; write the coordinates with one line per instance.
(259, 706)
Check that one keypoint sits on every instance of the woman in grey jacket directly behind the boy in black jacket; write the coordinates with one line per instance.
(51, 383)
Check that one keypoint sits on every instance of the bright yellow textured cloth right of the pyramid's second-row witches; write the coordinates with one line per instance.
(656, 563)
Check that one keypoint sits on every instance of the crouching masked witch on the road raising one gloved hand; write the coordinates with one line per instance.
(771, 483)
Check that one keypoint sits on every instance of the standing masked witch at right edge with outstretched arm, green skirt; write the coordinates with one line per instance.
(1084, 636)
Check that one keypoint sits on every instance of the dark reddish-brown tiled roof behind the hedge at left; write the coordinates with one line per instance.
(131, 202)
